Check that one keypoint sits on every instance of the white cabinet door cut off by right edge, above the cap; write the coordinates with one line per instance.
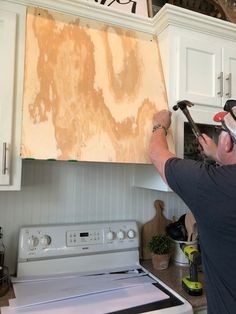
(229, 68)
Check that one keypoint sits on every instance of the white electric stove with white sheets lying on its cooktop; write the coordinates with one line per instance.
(87, 268)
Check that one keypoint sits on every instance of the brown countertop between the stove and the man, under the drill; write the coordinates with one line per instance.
(172, 276)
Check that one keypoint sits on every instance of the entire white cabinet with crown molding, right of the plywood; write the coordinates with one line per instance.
(195, 49)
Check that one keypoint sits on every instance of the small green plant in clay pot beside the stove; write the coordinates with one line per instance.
(160, 246)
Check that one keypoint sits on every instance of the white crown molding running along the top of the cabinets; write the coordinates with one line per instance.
(168, 15)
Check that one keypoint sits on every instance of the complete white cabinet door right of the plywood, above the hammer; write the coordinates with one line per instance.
(199, 77)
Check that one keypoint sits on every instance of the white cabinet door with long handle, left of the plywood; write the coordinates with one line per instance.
(7, 65)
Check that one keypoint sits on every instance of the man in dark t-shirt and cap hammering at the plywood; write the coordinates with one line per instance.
(210, 193)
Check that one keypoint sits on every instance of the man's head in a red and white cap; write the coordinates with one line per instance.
(227, 140)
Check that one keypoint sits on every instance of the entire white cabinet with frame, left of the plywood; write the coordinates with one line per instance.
(12, 19)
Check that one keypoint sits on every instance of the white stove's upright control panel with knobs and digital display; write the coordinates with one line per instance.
(49, 241)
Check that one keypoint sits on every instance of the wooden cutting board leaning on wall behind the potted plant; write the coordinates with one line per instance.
(157, 225)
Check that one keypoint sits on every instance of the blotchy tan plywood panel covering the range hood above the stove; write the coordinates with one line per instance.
(90, 90)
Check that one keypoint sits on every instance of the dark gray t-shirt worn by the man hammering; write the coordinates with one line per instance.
(210, 193)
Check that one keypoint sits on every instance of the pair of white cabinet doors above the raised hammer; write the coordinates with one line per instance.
(206, 71)
